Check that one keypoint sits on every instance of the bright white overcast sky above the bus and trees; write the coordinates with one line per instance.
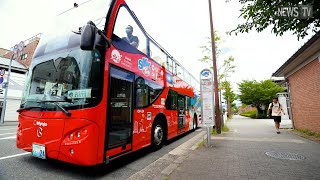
(181, 27)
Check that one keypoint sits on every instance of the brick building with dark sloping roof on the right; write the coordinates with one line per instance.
(302, 77)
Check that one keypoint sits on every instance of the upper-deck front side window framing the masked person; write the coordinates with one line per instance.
(127, 29)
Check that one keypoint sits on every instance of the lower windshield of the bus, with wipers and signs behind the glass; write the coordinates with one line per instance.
(70, 78)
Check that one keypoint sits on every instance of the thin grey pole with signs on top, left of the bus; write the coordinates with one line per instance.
(17, 48)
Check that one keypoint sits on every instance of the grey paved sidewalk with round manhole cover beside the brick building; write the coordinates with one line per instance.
(241, 154)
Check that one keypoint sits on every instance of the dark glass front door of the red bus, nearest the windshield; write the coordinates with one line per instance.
(119, 117)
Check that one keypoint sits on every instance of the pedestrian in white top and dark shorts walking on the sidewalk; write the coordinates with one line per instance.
(275, 110)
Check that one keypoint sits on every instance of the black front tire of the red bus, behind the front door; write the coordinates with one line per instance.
(157, 135)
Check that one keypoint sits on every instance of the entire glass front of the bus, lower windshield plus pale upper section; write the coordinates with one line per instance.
(60, 71)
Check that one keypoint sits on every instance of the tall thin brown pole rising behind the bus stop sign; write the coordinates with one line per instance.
(215, 75)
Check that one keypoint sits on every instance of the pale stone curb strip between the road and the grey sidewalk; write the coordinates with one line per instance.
(169, 161)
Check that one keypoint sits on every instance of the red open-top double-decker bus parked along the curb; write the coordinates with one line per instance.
(99, 90)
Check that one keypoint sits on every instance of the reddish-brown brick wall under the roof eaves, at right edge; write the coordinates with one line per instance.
(305, 95)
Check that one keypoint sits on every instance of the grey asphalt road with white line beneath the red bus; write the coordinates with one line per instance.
(24, 166)
